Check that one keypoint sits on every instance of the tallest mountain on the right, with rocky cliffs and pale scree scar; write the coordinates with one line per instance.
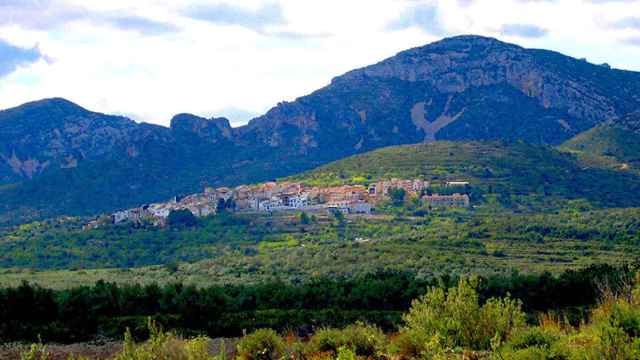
(465, 87)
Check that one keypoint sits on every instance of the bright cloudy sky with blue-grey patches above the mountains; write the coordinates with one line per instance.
(152, 59)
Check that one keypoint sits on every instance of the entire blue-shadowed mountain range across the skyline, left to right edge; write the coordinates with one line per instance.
(58, 158)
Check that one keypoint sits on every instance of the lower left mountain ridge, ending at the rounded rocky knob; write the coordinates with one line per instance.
(58, 158)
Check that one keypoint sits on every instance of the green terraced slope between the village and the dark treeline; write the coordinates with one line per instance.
(240, 249)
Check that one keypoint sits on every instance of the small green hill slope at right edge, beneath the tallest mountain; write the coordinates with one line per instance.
(609, 146)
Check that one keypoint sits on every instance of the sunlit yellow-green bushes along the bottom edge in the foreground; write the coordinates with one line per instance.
(443, 323)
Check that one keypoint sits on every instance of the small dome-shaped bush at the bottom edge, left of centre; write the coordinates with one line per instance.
(264, 344)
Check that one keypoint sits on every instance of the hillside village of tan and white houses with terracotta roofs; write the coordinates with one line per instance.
(272, 197)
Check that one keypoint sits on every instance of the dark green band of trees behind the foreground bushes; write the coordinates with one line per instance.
(28, 312)
